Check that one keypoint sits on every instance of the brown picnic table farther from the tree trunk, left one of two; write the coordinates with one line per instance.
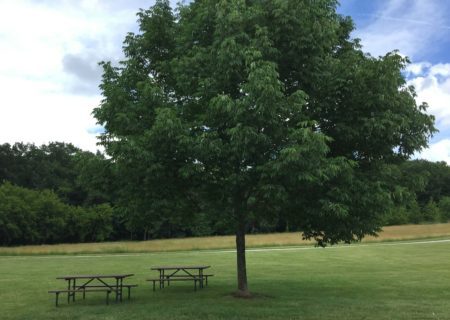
(94, 283)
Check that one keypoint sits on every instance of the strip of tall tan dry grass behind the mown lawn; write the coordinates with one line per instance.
(405, 232)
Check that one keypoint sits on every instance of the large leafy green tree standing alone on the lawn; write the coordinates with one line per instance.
(256, 110)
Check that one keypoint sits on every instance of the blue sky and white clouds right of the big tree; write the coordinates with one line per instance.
(419, 29)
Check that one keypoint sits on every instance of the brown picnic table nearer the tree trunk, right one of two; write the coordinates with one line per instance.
(181, 273)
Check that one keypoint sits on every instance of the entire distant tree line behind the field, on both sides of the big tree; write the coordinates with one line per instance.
(58, 193)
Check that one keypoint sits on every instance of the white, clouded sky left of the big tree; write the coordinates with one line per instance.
(48, 56)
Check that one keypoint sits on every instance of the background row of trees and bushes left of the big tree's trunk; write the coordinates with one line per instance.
(58, 193)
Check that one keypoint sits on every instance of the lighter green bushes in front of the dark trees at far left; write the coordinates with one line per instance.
(37, 217)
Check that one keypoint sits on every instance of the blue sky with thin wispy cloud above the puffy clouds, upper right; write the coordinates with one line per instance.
(420, 28)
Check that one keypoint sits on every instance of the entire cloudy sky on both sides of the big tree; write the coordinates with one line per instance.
(49, 51)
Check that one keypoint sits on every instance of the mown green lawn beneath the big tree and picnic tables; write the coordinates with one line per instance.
(371, 281)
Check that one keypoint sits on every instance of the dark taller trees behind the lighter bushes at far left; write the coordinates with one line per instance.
(77, 177)
